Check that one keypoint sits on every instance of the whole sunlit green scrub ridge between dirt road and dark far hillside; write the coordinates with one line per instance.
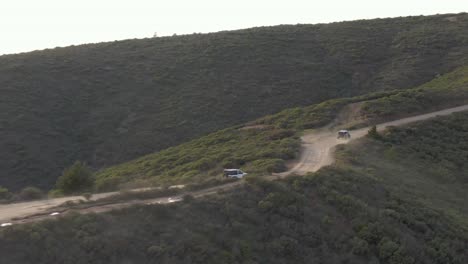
(264, 145)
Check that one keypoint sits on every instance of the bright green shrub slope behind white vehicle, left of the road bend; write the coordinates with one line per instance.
(258, 150)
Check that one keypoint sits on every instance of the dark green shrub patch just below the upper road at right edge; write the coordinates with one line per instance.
(441, 145)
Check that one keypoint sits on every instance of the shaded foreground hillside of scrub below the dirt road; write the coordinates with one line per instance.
(399, 199)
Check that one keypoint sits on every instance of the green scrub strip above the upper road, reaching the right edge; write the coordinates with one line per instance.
(445, 91)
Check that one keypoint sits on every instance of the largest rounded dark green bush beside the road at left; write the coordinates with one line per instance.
(76, 178)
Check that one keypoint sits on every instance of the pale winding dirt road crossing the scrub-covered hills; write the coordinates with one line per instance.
(317, 149)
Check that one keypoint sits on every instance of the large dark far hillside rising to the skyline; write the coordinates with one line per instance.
(111, 102)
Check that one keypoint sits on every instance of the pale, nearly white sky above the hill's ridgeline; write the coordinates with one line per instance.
(28, 25)
